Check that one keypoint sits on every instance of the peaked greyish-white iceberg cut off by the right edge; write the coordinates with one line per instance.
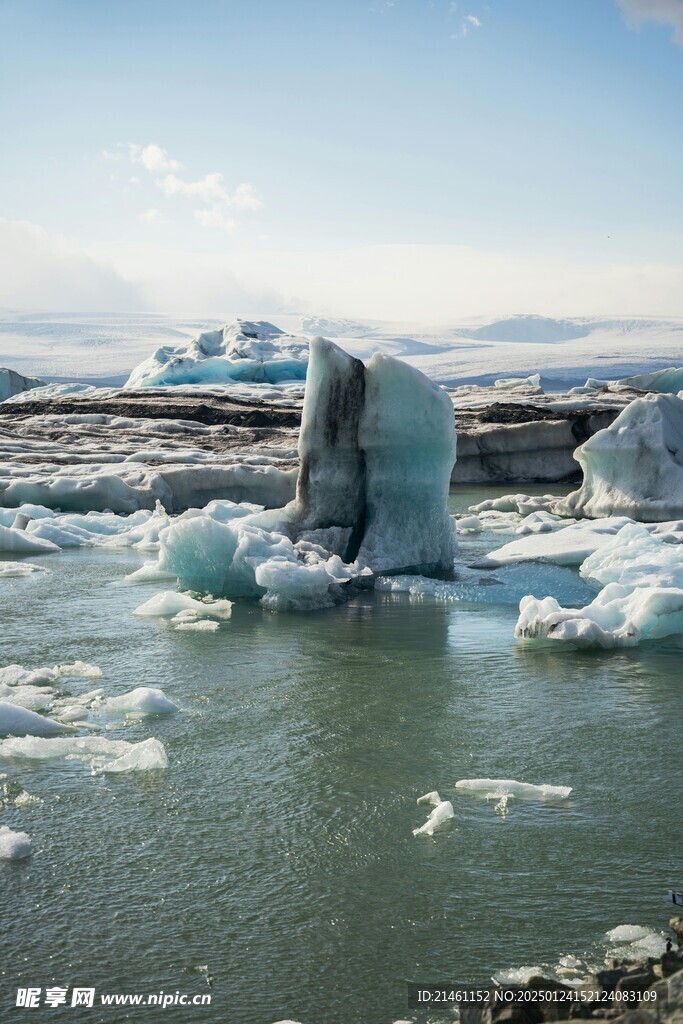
(635, 466)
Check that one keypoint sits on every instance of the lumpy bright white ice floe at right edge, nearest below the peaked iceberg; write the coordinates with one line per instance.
(642, 600)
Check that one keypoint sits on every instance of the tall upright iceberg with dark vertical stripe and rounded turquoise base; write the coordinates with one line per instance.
(377, 447)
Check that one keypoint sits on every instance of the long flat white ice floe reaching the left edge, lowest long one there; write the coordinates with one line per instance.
(105, 755)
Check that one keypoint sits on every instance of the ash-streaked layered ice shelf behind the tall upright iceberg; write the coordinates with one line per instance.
(125, 450)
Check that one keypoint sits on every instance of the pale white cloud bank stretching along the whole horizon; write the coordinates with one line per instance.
(419, 283)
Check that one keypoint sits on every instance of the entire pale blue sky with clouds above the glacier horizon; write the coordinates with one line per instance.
(415, 160)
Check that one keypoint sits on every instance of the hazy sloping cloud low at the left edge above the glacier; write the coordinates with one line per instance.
(42, 271)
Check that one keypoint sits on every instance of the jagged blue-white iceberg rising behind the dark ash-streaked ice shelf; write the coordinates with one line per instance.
(240, 352)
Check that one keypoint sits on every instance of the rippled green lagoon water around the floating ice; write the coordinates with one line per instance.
(278, 848)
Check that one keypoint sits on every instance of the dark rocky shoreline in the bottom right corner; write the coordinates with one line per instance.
(643, 992)
